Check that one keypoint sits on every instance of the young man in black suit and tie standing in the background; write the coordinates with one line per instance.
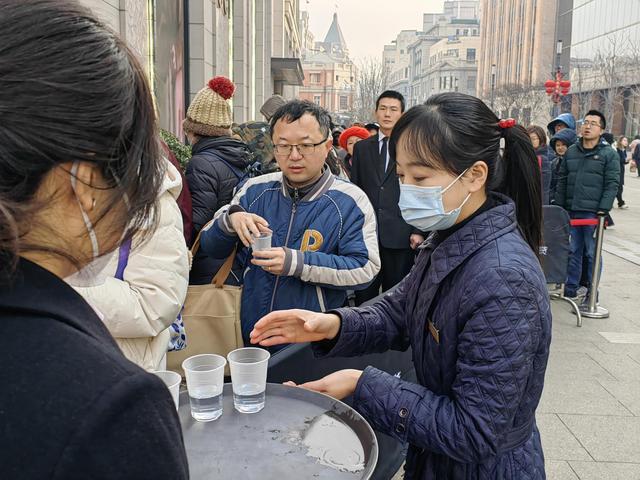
(374, 171)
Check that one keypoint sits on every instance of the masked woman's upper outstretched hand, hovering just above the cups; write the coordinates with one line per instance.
(294, 326)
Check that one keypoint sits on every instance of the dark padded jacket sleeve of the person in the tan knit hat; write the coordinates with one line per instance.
(204, 184)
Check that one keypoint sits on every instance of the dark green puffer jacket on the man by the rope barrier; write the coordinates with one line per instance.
(588, 179)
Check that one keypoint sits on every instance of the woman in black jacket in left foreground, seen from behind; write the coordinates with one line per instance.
(80, 171)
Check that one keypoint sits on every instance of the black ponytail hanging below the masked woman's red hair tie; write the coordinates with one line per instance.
(522, 182)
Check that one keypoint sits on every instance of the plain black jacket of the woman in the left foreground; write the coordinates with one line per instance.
(72, 406)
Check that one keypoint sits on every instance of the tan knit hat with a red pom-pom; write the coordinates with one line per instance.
(209, 115)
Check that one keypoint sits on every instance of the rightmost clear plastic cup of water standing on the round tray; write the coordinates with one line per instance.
(249, 378)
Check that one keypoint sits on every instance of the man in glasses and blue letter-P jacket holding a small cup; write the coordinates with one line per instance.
(324, 238)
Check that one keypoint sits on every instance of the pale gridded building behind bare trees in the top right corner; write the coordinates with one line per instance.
(604, 48)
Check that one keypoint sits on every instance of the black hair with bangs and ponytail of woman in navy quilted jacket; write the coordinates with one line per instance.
(452, 131)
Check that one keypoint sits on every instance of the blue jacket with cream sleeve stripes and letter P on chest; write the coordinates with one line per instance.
(329, 237)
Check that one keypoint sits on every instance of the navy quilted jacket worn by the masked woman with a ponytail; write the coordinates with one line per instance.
(475, 311)
